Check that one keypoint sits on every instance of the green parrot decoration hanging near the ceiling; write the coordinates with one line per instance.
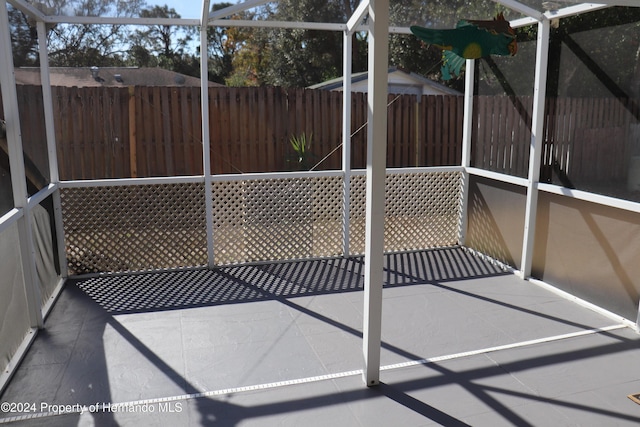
(471, 39)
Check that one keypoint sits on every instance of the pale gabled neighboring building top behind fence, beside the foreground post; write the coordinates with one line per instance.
(400, 82)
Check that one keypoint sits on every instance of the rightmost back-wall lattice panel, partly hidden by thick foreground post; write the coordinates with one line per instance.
(422, 211)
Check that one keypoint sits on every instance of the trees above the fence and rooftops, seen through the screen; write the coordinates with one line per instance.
(595, 53)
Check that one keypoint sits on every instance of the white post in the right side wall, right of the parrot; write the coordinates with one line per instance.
(535, 150)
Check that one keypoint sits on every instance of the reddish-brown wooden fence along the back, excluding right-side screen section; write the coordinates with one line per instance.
(156, 131)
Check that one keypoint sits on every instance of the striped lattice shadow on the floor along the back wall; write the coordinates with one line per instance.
(137, 293)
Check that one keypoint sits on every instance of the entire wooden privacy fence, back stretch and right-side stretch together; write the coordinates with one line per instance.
(156, 131)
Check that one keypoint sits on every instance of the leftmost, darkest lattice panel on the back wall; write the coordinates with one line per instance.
(134, 228)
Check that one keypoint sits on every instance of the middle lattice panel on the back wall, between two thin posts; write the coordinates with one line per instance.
(277, 219)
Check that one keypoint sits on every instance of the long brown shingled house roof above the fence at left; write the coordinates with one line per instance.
(107, 77)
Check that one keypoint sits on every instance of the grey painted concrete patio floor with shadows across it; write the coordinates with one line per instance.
(464, 343)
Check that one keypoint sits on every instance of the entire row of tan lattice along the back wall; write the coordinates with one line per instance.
(137, 228)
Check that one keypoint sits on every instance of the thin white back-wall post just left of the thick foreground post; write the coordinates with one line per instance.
(347, 47)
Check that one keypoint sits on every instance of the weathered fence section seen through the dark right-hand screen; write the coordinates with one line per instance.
(586, 140)
